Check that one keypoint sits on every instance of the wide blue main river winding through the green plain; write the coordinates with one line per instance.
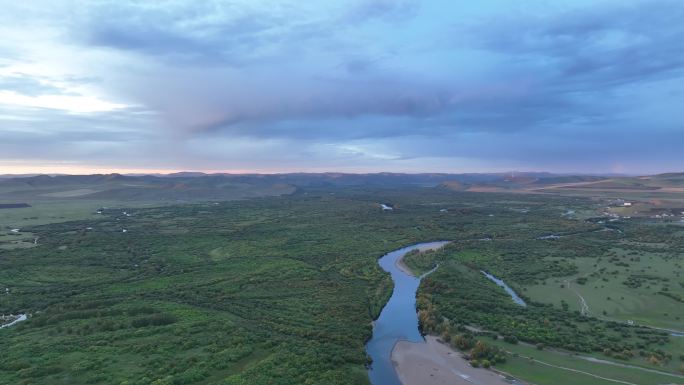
(398, 320)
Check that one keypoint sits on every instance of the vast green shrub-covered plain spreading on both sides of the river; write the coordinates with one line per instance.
(283, 290)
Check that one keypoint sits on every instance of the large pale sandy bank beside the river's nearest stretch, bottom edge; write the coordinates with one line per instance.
(433, 363)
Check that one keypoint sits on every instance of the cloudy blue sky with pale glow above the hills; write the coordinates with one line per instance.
(586, 86)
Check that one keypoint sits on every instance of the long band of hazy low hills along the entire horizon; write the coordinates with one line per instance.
(197, 186)
